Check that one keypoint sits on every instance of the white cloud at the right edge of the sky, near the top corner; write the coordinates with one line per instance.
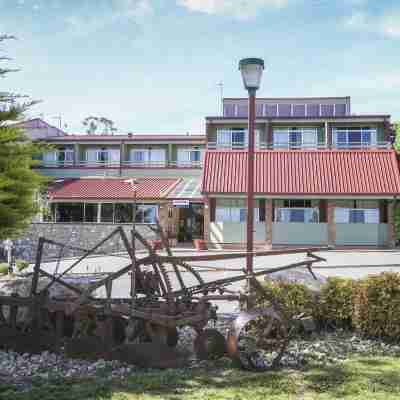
(386, 25)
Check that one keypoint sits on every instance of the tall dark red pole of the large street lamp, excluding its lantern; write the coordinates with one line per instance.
(250, 180)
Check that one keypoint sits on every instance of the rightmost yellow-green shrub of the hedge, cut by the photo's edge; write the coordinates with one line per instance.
(377, 306)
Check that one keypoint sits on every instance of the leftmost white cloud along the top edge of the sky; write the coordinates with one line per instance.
(108, 13)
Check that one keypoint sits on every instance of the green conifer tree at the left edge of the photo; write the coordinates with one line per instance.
(19, 184)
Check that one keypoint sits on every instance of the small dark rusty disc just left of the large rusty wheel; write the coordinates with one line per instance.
(209, 344)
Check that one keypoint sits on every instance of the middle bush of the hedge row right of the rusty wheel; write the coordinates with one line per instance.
(335, 303)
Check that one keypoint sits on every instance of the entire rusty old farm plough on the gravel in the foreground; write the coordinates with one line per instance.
(167, 293)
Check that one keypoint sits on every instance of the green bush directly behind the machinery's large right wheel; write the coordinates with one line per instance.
(294, 298)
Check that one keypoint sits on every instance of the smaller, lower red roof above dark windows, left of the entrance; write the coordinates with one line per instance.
(110, 189)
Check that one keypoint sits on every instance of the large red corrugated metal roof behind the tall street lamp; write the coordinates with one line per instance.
(324, 172)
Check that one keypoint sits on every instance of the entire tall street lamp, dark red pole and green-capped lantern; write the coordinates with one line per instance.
(251, 70)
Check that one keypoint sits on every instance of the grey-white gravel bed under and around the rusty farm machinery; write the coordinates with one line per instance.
(319, 349)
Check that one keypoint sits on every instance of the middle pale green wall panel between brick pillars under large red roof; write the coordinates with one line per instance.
(298, 233)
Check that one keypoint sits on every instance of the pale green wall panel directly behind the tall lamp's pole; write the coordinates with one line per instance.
(235, 233)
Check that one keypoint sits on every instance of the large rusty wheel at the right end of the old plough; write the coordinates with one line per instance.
(263, 352)
